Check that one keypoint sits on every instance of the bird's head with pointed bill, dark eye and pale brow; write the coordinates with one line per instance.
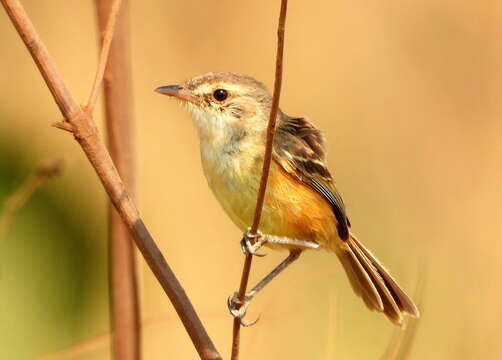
(223, 104)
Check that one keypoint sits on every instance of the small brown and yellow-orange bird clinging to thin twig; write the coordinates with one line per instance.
(303, 208)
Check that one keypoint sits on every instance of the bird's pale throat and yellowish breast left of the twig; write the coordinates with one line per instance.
(231, 154)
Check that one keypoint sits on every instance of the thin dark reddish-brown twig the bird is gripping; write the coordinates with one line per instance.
(265, 171)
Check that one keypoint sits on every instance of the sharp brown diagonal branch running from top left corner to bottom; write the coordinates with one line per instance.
(87, 135)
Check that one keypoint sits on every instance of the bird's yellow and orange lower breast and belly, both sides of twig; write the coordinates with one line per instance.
(291, 208)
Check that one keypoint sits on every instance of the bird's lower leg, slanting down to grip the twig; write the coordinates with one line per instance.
(234, 302)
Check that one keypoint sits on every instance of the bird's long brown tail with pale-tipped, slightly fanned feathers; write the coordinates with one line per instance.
(371, 281)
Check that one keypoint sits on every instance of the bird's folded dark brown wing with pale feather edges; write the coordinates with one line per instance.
(299, 149)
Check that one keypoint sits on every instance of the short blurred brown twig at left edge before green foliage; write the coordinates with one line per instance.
(23, 193)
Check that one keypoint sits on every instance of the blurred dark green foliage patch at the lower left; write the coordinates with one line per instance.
(47, 267)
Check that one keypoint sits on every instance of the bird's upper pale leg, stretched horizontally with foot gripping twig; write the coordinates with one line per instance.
(260, 239)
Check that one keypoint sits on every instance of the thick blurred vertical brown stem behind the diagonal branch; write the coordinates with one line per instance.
(123, 280)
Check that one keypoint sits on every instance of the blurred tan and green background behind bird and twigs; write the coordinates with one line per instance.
(408, 94)
